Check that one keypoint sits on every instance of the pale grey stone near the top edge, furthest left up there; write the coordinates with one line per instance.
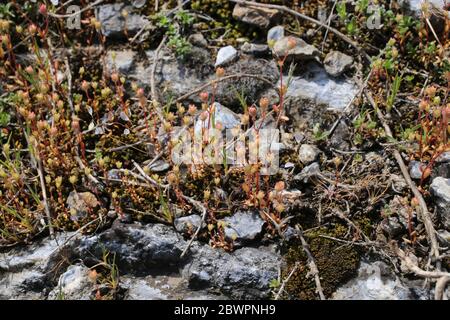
(114, 24)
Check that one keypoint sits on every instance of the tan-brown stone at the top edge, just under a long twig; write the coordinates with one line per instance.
(260, 17)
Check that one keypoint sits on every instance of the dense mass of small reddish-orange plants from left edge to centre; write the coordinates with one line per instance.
(60, 129)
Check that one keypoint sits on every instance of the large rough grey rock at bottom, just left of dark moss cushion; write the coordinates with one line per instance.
(244, 274)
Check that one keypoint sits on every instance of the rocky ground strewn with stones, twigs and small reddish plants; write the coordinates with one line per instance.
(94, 207)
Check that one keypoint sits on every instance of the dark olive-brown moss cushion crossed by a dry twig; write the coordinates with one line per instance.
(336, 262)
